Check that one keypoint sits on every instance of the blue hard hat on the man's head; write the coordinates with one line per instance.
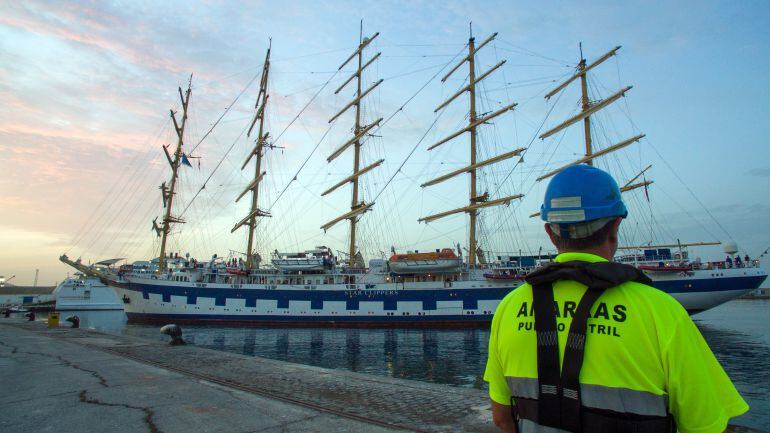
(582, 193)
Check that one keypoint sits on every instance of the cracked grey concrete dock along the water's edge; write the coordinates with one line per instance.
(67, 380)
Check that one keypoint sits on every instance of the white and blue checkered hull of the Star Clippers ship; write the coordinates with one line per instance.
(432, 303)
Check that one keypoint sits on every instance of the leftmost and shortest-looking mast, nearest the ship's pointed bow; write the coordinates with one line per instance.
(168, 192)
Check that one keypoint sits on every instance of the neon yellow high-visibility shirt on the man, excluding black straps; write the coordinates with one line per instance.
(643, 355)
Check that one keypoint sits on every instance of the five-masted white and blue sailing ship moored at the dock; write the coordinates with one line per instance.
(445, 287)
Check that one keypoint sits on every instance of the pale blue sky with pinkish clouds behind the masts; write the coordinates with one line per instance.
(85, 89)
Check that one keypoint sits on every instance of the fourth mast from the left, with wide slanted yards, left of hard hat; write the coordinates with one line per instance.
(476, 201)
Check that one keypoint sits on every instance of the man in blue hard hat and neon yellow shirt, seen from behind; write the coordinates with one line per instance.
(587, 345)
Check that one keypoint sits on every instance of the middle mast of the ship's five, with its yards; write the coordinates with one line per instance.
(359, 131)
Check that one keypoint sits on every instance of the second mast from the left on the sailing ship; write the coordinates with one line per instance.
(258, 151)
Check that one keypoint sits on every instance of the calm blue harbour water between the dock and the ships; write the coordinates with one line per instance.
(738, 333)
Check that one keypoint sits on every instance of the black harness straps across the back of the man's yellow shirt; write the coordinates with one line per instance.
(559, 402)
